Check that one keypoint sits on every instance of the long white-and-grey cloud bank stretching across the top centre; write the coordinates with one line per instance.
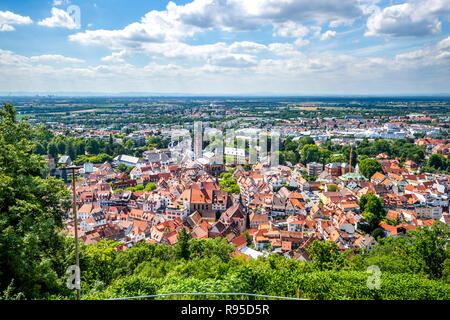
(179, 22)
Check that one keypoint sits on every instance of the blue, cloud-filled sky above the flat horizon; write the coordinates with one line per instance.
(226, 47)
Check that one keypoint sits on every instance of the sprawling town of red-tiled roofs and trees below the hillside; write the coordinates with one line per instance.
(155, 180)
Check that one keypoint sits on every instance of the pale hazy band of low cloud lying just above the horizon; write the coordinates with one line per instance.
(225, 72)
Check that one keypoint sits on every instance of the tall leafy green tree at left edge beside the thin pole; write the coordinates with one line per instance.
(31, 211)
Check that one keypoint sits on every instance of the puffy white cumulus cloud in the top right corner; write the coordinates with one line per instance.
(417, 18)
